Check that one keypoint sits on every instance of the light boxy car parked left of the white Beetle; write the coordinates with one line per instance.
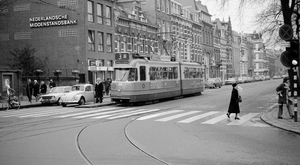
(54, 95)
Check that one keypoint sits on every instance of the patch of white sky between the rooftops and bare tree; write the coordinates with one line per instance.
(243, 24)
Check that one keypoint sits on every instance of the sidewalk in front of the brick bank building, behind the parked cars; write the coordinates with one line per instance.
(26, 104)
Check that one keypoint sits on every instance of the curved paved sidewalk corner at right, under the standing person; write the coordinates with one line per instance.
(288, 124)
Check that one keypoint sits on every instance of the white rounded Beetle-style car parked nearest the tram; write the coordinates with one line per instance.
(79, 94)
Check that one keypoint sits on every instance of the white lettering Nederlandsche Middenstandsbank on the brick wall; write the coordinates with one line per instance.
(47, 21)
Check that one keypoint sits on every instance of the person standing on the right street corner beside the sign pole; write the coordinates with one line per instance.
(283, 97)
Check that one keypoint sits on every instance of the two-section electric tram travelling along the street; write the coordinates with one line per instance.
(140, 79)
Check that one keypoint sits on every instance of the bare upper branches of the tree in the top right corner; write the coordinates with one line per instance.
(276, 14)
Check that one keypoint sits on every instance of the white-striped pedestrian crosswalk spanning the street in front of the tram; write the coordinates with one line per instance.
(157, 115)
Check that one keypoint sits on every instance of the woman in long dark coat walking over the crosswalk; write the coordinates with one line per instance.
(235, 99)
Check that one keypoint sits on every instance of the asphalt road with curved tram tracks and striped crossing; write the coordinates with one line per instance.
(190, 130)
